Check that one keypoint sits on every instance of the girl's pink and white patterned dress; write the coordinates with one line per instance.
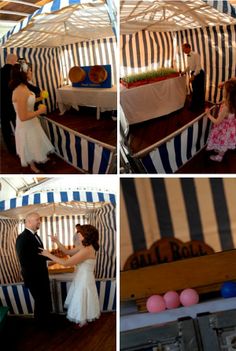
(223, 136)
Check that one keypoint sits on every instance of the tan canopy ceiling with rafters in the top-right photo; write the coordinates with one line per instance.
(168, 15)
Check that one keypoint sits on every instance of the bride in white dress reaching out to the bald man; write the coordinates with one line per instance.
(82, 299)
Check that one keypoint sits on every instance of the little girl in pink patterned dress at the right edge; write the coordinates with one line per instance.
(223, 134)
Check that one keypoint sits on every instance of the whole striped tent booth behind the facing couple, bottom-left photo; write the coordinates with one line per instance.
(60, 211)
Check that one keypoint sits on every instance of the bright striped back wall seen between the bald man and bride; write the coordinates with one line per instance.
(62, 226)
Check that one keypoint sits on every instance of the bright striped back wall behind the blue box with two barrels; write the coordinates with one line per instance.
(94, 52)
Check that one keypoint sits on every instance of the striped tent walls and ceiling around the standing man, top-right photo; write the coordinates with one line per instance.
(152, 34)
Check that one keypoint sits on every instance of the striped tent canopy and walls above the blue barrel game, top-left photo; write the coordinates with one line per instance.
(60, 35)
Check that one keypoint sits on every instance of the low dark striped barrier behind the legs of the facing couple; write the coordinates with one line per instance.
(20, 301)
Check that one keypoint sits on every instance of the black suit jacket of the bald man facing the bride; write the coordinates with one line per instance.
(33, 266)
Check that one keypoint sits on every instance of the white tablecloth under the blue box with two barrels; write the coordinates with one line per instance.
(102, 99)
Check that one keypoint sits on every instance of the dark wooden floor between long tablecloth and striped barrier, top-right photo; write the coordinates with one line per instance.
(142, 135)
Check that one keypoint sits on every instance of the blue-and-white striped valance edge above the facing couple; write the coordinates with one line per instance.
(55, 197)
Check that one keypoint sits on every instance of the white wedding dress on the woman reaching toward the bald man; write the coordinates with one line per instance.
(82, 299)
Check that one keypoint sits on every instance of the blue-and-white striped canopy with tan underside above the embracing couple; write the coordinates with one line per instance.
(83, 201)
